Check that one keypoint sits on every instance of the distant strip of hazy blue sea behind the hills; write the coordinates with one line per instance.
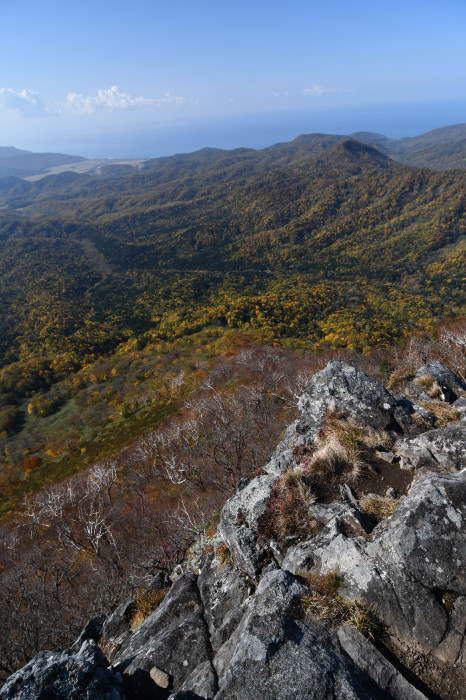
(258, 130)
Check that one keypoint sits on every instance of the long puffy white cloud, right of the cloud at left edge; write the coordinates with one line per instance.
(114, 99)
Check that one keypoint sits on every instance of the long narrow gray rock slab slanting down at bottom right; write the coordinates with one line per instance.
(369, 659)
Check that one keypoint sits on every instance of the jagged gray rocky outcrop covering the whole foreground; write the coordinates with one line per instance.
(240, 627)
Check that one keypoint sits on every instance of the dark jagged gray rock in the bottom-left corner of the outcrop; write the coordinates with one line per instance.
(62, 676)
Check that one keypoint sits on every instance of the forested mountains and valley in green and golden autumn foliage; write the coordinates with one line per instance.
(321, 243)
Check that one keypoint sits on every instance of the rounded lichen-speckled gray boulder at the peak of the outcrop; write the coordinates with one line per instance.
(340, 388)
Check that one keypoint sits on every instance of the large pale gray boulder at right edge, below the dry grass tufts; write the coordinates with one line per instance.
(403, 570)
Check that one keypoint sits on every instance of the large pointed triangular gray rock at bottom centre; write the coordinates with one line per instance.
(272, 654)
